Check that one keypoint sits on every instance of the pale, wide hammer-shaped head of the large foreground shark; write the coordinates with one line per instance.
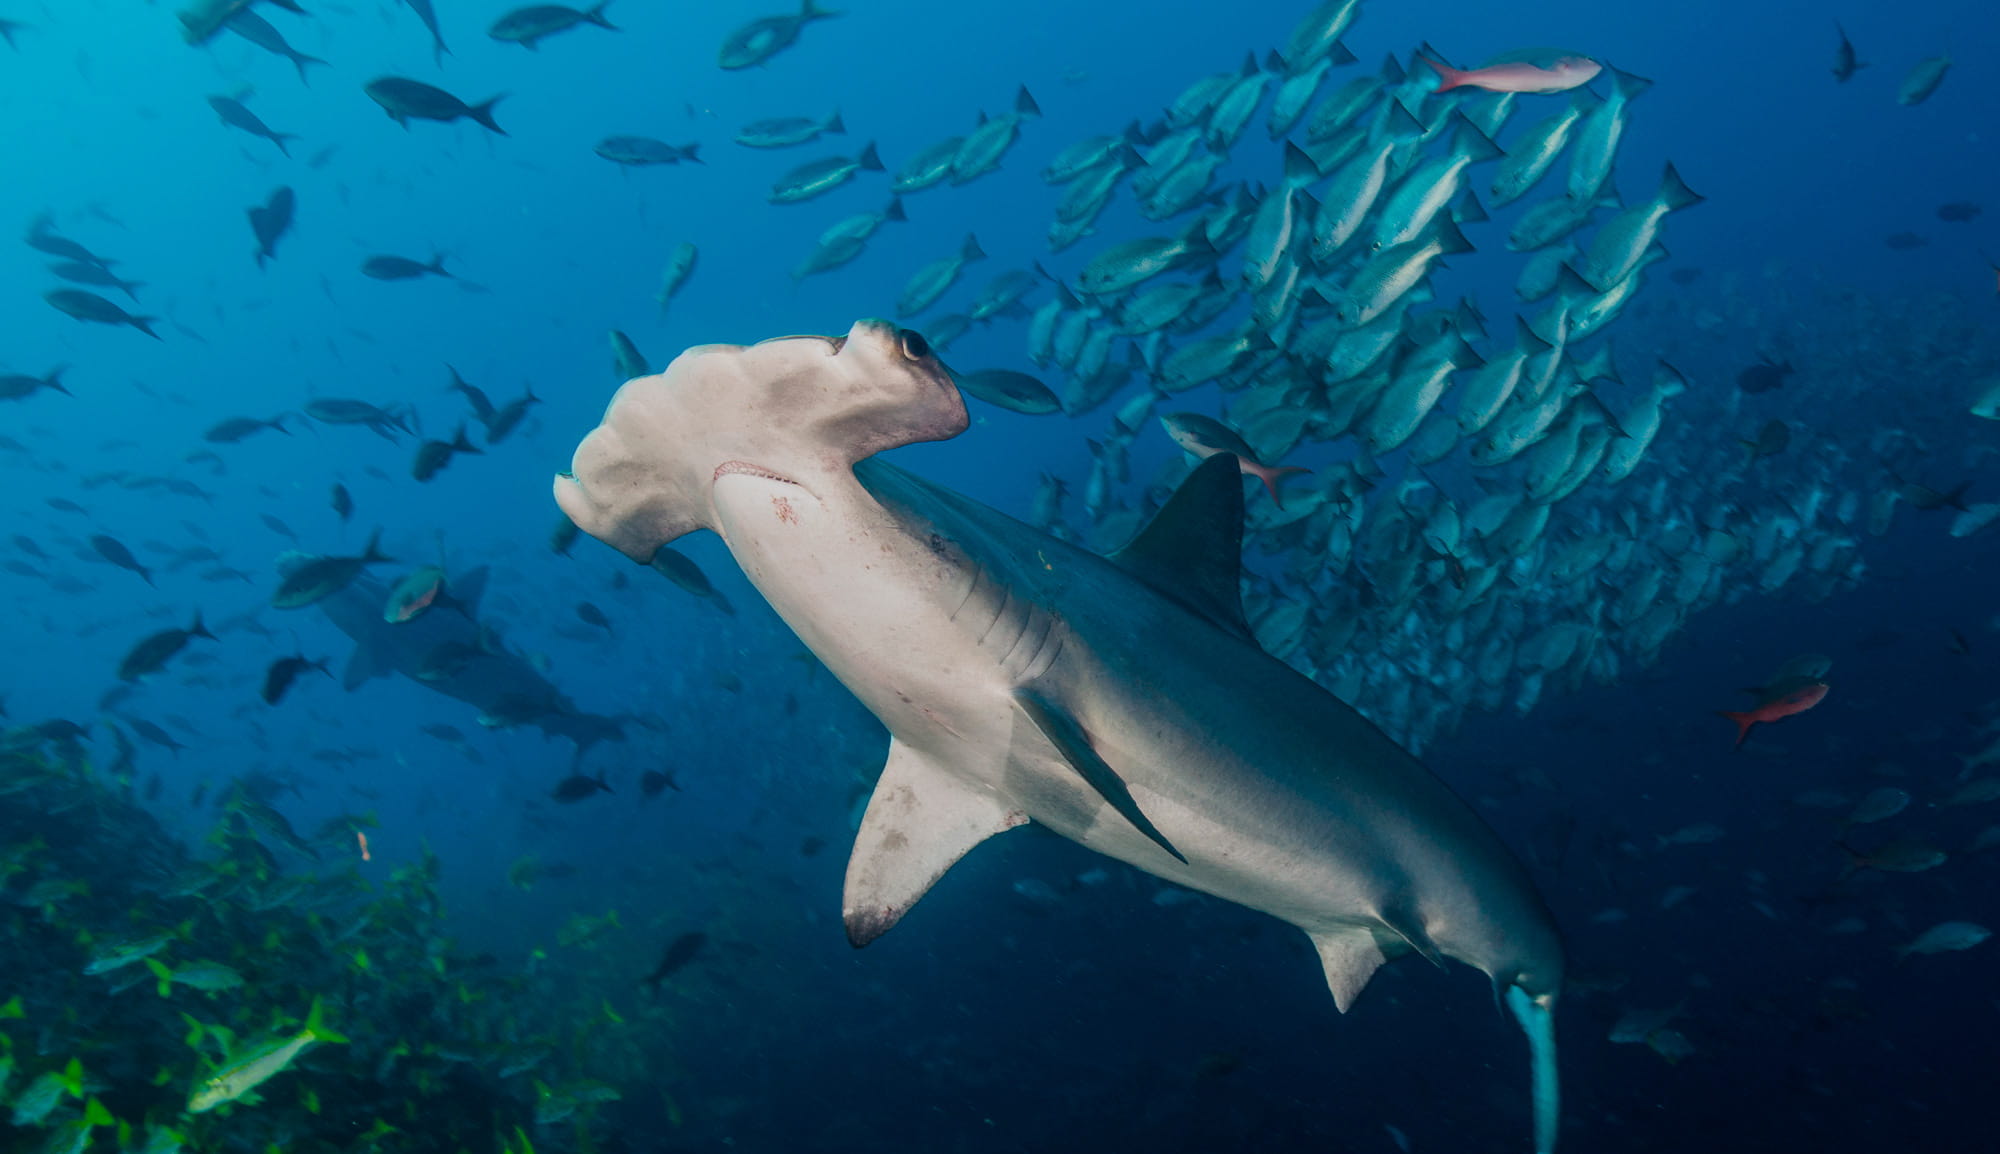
(791, 409)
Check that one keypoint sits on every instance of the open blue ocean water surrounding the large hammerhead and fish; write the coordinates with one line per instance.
(1043, 997)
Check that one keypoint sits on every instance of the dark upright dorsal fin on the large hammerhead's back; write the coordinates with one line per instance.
(1193, 549)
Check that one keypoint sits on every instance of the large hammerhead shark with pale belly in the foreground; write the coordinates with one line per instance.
(1121, 701)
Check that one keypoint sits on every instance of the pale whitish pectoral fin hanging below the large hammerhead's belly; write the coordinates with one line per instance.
(919, 823)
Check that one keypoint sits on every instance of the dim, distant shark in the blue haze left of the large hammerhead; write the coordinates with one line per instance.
(451, 653)
